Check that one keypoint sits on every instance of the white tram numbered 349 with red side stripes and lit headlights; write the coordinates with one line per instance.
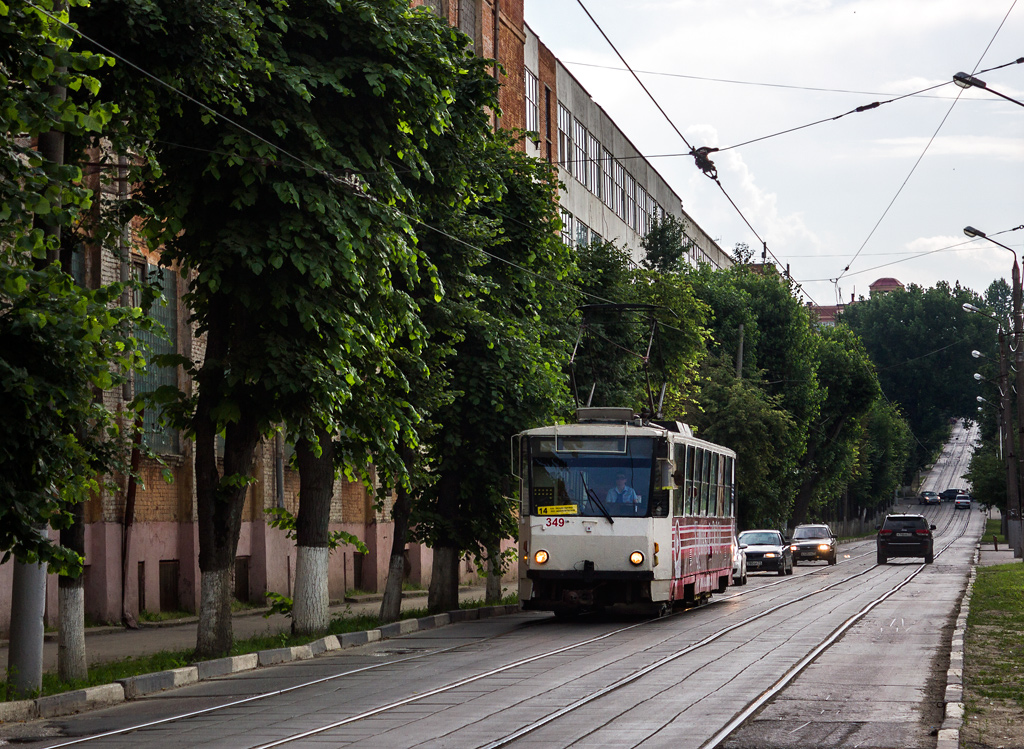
(617, 511)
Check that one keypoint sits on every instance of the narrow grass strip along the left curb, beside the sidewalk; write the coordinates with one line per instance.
(106, 674)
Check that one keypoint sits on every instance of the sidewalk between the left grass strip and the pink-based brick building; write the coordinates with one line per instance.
(108, 644)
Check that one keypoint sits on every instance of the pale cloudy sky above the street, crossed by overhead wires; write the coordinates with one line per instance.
(883, 186)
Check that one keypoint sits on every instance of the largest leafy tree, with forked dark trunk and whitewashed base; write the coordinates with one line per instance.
(295, 229)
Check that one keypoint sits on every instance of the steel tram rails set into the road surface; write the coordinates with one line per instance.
(773, 608)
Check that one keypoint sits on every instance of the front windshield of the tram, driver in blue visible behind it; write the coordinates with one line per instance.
(591, 476)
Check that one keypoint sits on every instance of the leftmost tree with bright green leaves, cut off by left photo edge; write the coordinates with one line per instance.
(60, 344)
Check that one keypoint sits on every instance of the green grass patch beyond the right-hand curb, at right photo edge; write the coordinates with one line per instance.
(995, 672)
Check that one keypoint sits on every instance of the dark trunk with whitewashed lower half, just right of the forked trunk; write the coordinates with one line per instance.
(310, 604)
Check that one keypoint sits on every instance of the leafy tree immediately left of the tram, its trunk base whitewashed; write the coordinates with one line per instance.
(505, 326)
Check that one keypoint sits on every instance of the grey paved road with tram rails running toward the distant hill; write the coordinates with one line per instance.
(844, 656)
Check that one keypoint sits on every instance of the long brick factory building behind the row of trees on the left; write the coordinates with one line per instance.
(603, 198)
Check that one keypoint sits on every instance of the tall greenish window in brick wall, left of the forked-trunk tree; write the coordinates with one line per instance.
(161, 439)
